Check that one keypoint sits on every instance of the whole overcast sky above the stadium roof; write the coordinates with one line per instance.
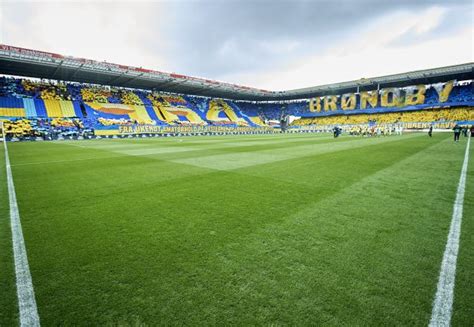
(274, 45)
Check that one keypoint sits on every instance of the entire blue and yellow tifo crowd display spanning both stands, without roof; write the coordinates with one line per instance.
(52, 109)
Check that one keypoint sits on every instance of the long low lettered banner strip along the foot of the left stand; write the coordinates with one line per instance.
(152, 129)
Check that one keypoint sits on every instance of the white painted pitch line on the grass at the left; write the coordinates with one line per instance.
(24, 285)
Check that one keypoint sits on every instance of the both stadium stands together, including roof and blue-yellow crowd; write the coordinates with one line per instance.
(67, 97)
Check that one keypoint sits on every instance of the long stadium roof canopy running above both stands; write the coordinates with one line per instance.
(32, 63)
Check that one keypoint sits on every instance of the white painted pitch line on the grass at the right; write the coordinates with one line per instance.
(443, 302)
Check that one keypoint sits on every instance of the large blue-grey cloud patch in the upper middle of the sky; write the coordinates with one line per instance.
(218, 38)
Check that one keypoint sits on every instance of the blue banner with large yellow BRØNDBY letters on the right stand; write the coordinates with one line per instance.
(389, 100)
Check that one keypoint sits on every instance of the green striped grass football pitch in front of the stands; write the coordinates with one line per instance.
(290, 230)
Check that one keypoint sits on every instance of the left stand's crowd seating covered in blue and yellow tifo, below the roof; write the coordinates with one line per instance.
(51, 110)
